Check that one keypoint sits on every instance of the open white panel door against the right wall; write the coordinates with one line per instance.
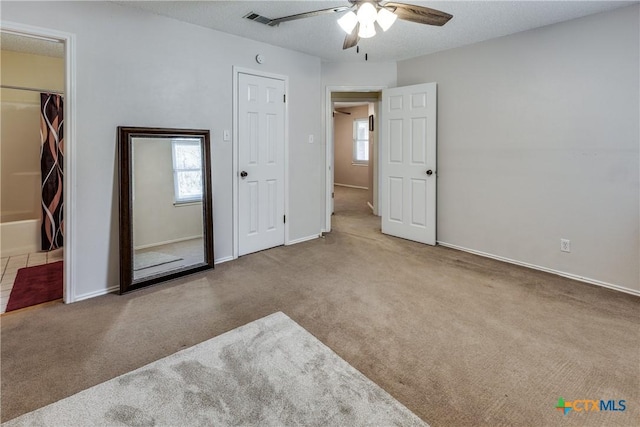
(408, 162)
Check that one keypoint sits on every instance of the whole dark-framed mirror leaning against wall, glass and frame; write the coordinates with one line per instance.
(166, 224)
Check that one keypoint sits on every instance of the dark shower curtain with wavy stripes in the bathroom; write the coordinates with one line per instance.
(51, 164)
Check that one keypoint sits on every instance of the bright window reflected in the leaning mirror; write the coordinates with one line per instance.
(187, 169)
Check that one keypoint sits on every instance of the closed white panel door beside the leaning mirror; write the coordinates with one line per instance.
(261, 121)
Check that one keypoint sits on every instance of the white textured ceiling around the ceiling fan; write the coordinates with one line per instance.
(320, 36)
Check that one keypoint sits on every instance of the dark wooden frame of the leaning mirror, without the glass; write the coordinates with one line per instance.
(125, 137)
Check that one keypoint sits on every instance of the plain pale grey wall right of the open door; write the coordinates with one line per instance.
(538, 140)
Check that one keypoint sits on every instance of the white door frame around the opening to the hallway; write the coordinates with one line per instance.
(329, 147)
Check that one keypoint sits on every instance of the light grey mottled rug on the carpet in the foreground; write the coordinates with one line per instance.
(270, 372)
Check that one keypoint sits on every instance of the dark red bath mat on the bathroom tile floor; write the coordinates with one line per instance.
(35, 285)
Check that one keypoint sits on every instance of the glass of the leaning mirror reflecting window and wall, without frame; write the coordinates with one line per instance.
(167, 204)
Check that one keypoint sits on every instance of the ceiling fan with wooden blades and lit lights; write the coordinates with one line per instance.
(362, 16)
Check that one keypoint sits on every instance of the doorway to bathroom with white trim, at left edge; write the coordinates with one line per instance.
(35, 106)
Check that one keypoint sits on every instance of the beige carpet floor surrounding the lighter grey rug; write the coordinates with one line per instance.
(458, 339)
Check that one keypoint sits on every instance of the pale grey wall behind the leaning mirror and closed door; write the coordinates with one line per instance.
(139, 69)
